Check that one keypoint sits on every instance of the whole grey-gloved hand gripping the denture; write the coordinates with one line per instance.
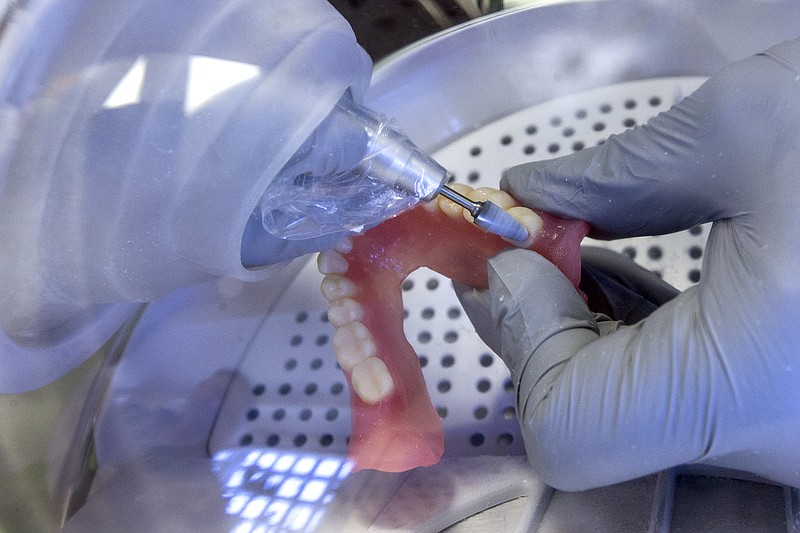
(709, 377)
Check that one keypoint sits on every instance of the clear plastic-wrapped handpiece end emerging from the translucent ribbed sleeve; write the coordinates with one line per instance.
(356, 171)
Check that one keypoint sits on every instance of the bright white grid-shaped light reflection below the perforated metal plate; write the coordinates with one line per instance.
(272, 490)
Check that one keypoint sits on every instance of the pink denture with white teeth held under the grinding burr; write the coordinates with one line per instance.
(394, 424)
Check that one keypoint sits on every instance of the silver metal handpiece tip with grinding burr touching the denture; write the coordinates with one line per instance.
(393, 159)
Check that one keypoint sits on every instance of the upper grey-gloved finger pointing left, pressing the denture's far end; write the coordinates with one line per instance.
(641, 182)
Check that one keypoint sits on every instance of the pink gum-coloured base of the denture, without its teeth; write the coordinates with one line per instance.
(404, 431)
